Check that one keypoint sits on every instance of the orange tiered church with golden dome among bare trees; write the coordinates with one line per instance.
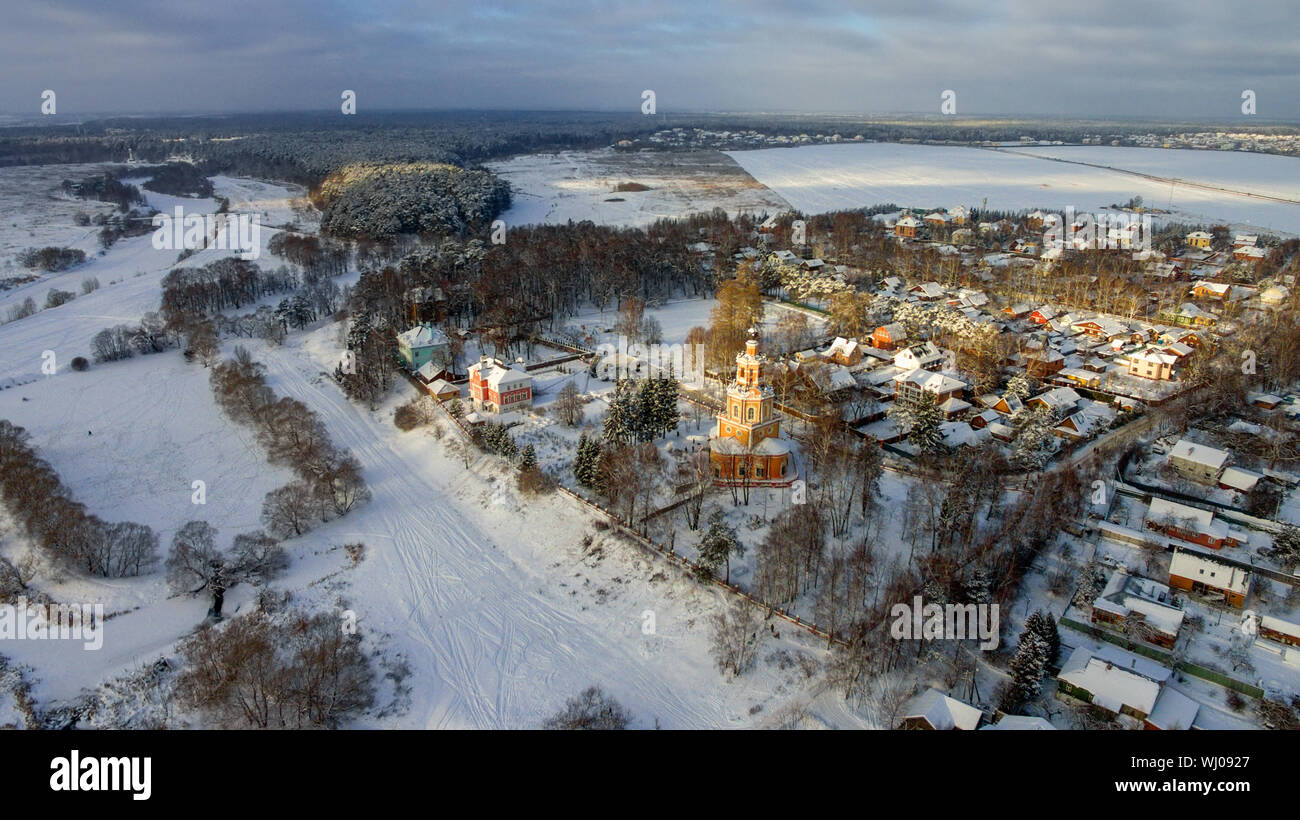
(747, 445)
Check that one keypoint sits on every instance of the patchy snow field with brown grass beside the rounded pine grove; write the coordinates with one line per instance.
(579, 185)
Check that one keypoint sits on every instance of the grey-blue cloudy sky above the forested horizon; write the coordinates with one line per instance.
(1190, 59)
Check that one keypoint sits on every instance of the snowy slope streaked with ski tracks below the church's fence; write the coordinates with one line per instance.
(492, 600)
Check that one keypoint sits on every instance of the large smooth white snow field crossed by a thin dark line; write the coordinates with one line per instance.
(821, 179)
